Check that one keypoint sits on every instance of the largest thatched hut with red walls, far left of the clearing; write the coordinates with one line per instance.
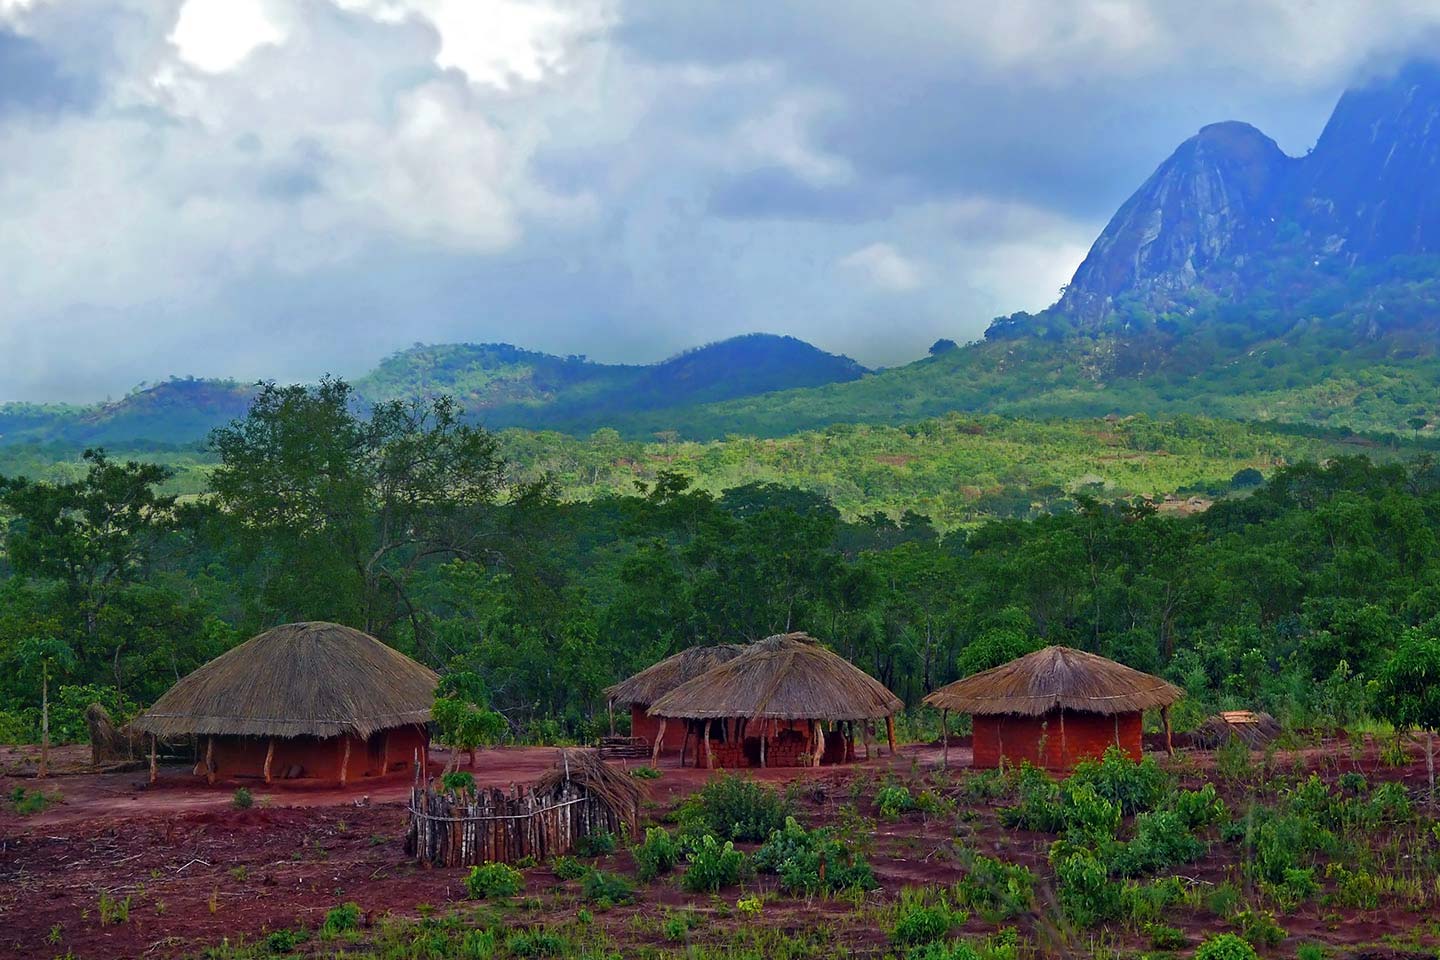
(302, 702)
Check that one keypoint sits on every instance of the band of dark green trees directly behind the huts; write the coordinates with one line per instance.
(413, 525)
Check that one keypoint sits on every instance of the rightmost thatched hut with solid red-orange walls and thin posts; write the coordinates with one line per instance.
(1055, 707)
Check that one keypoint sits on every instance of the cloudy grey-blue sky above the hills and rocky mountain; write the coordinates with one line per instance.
(290, 188)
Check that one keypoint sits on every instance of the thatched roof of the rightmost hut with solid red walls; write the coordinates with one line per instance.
(1056, 677)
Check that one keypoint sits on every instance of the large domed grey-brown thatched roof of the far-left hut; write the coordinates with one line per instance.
(318, 680)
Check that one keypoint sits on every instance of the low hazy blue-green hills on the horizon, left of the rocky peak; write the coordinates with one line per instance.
(498, 385)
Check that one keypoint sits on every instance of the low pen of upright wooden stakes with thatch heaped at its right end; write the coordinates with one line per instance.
(580, 798)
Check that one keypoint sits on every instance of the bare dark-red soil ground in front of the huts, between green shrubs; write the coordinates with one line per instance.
(199, 871)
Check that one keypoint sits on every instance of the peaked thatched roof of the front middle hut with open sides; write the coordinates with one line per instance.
(784, 677)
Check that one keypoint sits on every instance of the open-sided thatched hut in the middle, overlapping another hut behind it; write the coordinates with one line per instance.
(770, 707)
